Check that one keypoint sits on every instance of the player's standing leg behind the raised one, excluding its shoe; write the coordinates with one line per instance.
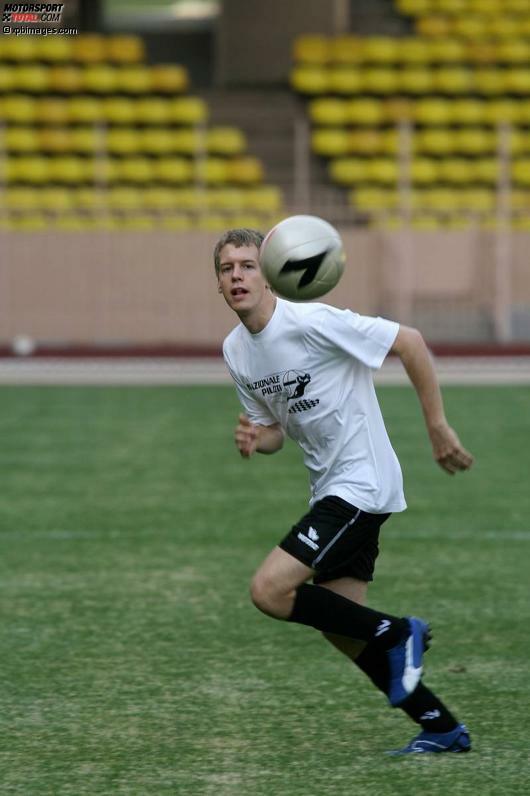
(422, 705)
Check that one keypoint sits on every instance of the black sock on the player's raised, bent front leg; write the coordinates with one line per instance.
(331, 613)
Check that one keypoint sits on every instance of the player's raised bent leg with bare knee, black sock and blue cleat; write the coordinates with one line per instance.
(279, 589)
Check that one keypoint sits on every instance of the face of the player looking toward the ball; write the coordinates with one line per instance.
(240, 279)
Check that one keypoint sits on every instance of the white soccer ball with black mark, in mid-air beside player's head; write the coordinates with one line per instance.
(302, 257)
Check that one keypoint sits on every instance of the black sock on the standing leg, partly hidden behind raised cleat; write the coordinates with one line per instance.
(422, 705)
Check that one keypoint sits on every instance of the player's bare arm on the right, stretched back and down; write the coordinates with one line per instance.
(448, 451)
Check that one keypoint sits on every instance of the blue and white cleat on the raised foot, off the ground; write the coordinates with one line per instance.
(405, 661)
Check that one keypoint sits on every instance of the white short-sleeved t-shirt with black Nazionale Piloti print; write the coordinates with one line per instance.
(310, 369)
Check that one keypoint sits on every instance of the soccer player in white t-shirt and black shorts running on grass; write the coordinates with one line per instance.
(305, 370)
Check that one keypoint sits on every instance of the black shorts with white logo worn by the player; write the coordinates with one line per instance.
(337, 540)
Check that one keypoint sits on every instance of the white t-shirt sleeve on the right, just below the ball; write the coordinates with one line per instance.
(367, 339)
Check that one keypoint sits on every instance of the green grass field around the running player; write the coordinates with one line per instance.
(132, 661)
